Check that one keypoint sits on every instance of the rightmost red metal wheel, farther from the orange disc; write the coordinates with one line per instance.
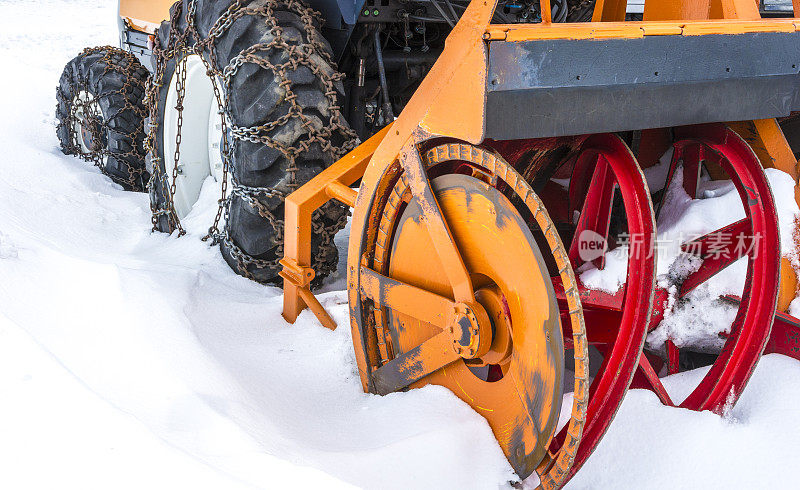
(755, 237)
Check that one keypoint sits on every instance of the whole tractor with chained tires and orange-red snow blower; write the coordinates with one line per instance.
(509, 165)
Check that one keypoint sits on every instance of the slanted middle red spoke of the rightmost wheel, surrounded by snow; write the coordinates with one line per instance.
(718, 250)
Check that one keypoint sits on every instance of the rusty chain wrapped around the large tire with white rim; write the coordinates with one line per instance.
(299, 55)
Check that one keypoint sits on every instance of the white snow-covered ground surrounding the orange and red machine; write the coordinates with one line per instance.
(137, 360)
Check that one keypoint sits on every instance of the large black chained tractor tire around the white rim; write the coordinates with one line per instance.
(282, 98)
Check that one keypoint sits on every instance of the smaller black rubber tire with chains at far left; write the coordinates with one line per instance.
(117, 81)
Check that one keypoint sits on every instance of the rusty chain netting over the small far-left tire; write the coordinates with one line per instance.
(86, 113)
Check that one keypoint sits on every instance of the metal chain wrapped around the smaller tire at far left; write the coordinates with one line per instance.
(132, 72)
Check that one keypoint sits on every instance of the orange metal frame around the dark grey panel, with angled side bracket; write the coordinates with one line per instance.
(450, 102)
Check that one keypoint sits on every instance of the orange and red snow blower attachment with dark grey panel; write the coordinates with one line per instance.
(509, 223)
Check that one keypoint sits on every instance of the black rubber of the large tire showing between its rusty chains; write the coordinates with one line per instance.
(256, 97)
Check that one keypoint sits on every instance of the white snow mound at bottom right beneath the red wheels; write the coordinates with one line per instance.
(650, 446)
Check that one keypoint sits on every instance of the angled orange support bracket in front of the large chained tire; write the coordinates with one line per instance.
(332, 183)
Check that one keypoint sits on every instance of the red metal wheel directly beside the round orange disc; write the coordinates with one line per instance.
(615, 323)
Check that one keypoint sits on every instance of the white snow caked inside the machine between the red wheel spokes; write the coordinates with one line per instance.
(698, 321)
